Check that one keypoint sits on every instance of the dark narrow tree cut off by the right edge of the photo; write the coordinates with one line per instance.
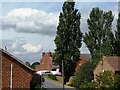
(117, 37)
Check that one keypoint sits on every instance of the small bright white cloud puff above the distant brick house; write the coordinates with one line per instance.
(32, 48)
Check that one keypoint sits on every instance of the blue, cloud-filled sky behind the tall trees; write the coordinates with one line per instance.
(28, 28)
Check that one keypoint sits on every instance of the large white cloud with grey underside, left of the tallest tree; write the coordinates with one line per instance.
(27, 20)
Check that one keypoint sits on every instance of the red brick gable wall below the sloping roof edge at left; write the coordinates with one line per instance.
(21, 75)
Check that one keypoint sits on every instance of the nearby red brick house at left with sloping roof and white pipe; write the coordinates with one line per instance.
(14, 73)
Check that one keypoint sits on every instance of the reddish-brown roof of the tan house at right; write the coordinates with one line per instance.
(114, 61)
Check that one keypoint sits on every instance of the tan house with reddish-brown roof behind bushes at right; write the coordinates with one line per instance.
(110, 63)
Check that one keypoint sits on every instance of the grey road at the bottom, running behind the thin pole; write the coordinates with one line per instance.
(53, 85)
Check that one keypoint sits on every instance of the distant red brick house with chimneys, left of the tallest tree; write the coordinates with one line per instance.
(48, 64)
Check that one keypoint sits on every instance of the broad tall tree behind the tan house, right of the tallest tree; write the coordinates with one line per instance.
(99, 38)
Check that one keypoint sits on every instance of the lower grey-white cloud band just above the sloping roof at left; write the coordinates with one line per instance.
(18, 47)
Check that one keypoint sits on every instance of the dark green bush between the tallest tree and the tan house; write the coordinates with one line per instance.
(86, 73)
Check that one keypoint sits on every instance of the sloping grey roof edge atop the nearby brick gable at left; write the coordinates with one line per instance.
(16, 59)
